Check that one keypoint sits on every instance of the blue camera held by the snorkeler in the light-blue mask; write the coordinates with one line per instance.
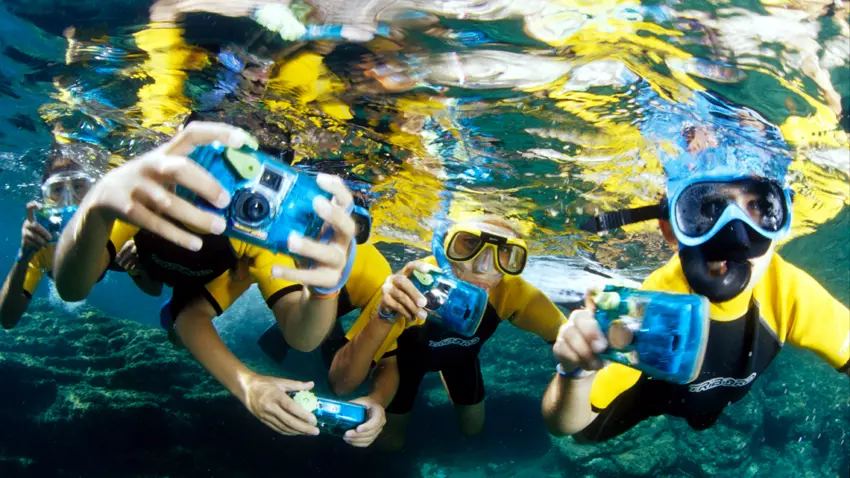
(661, 334)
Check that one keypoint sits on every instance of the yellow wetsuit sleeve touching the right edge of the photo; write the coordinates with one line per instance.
(810, 318)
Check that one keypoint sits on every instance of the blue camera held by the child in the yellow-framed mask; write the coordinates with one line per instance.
(454, 304)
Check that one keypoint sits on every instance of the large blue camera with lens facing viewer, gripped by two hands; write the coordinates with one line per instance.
(269, 199)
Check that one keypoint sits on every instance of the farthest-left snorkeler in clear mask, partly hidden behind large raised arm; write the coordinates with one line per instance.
(64, 185)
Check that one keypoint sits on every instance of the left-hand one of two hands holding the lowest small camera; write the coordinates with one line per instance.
(267, 399)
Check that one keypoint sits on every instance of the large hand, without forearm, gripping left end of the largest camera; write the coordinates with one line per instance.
(141, 191)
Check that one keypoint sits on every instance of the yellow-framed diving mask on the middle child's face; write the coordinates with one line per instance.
(466, 243)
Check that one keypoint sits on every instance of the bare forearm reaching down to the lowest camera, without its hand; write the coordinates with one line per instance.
(200, 337)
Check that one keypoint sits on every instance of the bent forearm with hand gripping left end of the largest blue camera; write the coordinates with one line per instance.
(140, 192)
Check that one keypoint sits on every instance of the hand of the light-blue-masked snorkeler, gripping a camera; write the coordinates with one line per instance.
(580, 340)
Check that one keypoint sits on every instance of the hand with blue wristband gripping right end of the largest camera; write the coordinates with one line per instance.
(328, 259)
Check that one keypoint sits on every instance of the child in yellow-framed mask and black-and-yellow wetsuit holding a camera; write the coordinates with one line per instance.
(403, 346)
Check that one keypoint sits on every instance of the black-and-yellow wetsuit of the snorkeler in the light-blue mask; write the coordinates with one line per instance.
(746, 334)
